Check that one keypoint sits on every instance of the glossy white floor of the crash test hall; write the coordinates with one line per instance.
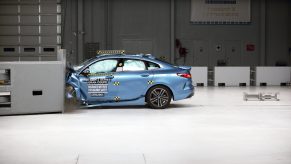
(214, 127)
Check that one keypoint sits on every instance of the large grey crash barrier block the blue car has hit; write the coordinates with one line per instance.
(32, 86)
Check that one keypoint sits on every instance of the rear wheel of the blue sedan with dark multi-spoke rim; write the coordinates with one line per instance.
(159, 97)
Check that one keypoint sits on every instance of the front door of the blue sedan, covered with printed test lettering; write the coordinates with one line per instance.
(96, 81)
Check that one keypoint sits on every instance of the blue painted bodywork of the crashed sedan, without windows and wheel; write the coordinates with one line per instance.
(118, 88)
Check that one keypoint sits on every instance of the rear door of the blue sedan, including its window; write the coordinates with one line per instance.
(132, 79)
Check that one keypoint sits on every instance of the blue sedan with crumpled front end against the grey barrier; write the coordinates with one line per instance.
(119, 79)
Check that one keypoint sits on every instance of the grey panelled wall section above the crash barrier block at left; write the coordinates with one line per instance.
(30, 29)
